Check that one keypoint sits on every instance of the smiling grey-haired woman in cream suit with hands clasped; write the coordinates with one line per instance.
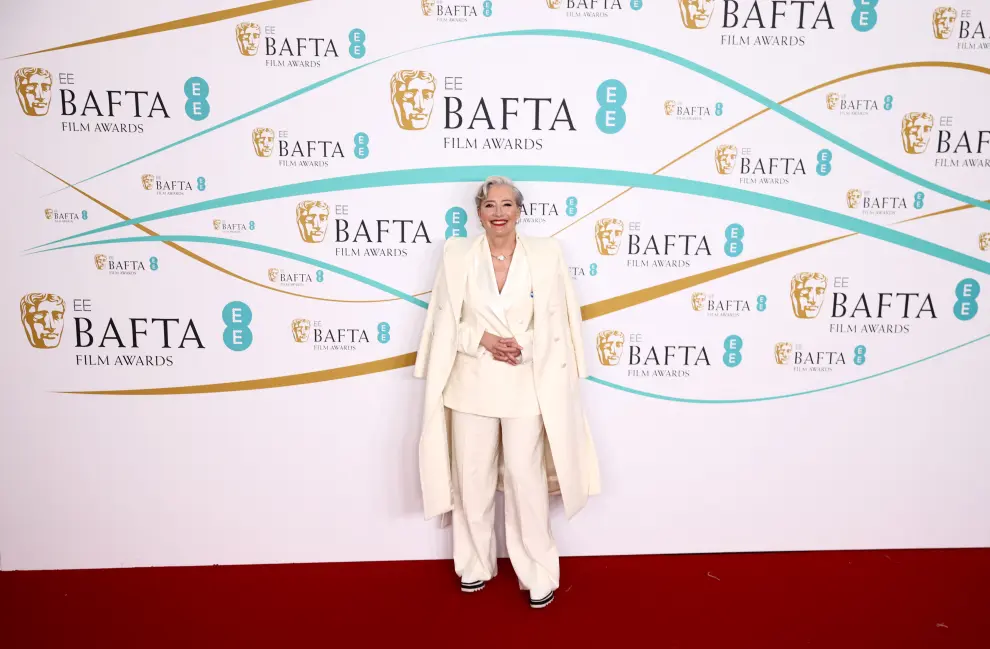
(501, 352)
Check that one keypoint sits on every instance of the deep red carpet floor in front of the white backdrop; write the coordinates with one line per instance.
(835, 600)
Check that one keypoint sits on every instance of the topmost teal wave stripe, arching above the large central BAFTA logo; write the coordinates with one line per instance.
(612, 40)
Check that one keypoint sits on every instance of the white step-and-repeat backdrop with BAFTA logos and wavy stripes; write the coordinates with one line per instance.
(222, 224)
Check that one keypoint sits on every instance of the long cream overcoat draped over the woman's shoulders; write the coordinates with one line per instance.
(558, 364)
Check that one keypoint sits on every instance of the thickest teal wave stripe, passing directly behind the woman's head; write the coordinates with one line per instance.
(566, 175)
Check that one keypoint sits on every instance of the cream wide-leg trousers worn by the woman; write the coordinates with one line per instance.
(528, 538)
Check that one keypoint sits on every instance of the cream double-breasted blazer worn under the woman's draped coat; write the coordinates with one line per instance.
(479, 384)
